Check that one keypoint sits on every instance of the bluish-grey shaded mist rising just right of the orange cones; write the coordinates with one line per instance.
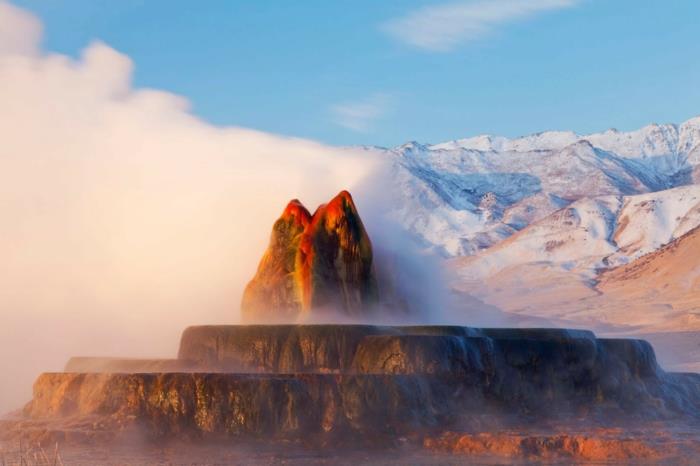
(414, 285)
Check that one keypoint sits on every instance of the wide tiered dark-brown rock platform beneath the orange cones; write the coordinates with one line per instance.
(349, 384)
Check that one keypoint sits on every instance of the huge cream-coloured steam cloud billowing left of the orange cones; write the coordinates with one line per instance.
(124, 218)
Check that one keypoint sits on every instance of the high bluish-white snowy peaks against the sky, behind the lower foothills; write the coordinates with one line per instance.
(466, 195)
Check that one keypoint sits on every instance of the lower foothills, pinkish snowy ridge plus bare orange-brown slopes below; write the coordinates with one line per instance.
(604, 263)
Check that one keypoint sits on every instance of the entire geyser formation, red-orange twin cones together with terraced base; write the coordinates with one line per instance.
(435, 386)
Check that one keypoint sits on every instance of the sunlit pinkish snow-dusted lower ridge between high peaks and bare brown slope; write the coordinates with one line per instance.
(592, 234)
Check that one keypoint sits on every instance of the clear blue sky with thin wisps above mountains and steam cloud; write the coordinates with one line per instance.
(370, 72)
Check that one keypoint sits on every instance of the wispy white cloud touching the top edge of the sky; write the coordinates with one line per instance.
(444, 27)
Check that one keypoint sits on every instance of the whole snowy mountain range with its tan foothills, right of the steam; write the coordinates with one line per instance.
(595, 231)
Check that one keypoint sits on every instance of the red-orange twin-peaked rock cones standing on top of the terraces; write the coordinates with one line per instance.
(320, 262)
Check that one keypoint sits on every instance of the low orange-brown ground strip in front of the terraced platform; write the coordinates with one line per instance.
(601, 446)
